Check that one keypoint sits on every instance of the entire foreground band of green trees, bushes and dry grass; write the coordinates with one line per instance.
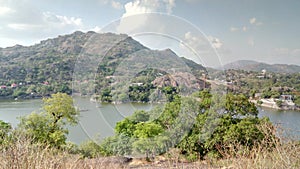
(234, 138)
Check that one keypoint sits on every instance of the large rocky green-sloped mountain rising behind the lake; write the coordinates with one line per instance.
(54, 64)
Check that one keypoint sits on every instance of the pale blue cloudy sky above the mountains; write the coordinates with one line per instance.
(211, 32)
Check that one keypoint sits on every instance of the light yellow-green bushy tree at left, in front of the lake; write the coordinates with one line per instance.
(49, 127)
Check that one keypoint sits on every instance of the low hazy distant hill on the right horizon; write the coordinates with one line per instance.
(259, 66)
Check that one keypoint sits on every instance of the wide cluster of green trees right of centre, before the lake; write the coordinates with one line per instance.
(218, 123)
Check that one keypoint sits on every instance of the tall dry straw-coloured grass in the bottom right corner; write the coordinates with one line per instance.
(285, 153)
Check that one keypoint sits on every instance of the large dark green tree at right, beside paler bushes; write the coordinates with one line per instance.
(236, 122)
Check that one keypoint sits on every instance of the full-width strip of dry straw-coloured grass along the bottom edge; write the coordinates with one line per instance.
(285, 154)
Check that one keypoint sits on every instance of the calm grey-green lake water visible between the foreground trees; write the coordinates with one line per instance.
(98, 121)
